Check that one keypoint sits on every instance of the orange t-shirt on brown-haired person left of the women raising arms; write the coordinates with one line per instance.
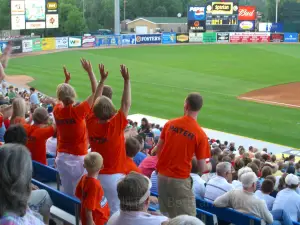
(36, 143)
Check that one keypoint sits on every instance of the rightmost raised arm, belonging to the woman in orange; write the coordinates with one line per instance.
(126, 98)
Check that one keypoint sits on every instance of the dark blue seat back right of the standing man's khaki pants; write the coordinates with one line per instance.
(229, 215)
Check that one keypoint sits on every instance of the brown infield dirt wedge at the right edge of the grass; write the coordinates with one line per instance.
(287, 95)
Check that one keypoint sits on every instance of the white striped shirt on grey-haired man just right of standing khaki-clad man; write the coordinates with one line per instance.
(216, 187)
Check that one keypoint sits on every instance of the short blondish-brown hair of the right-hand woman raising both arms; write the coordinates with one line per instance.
(104, 109)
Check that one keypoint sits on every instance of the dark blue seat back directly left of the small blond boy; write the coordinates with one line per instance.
(62, 201)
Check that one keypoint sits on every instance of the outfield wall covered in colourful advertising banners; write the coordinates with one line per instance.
(46, 44)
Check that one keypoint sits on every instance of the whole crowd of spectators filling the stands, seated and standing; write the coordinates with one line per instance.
(112, 164)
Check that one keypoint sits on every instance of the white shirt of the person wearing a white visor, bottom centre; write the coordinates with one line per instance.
(135, 218)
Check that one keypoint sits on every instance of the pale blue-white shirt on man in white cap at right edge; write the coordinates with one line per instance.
(288, 200)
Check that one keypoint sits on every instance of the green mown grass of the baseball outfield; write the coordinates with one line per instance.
(162, 76)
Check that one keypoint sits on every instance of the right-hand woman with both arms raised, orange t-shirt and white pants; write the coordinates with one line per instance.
(106, 128)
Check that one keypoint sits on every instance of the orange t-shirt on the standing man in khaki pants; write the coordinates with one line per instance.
(183, 138)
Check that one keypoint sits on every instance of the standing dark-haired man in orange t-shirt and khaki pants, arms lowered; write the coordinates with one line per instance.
(181, 139)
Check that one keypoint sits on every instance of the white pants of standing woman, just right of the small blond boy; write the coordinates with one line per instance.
(109, 183)
